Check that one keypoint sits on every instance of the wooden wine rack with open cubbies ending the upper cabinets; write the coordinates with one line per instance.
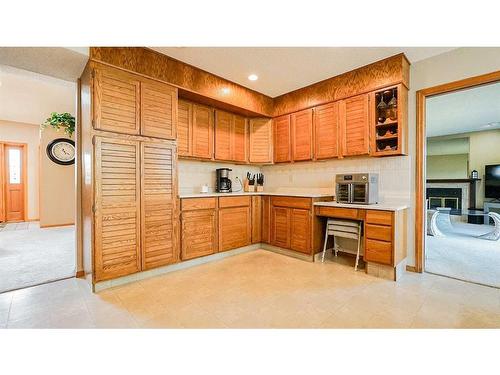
(389, 121)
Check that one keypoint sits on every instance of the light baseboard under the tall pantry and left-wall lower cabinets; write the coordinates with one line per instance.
(102, 285)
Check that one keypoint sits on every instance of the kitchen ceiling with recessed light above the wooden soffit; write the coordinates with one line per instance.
(284, 69)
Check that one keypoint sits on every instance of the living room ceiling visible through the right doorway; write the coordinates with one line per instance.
(464, 111)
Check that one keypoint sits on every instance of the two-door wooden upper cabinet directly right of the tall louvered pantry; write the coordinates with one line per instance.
(195, 130)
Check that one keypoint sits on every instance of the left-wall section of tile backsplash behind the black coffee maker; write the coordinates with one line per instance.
(193, 174)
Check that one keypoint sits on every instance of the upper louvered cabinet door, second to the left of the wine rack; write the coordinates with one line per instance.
(326, 131)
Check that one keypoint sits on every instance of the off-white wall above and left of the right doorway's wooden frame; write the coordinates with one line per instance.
(450, 66)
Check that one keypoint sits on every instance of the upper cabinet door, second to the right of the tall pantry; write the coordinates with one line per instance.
(203, 132)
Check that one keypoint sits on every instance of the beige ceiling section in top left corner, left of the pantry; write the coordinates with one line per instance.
(63, 63)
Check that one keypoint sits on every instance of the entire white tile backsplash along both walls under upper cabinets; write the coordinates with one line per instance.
(317, 177)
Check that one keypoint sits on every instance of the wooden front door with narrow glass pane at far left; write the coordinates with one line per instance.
(13, 182)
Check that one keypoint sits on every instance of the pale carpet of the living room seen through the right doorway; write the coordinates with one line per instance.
(462, 256)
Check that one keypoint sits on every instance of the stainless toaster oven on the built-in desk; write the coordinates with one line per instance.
(359, 188)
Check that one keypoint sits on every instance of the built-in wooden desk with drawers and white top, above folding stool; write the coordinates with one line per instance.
(385, 233)
